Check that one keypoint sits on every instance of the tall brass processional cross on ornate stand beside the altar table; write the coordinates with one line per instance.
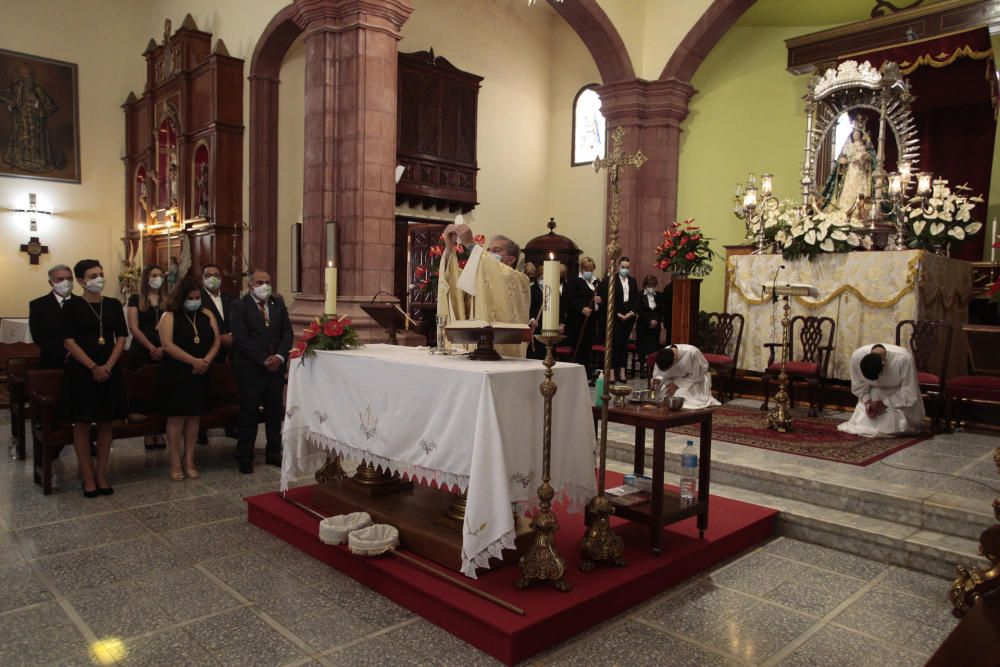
(600, 543)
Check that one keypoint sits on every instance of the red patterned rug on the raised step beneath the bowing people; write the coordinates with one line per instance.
(816, 437)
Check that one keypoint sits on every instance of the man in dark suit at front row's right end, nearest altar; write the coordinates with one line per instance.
(262, 338)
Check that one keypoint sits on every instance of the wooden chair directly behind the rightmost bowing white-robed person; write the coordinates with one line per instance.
(930, 343)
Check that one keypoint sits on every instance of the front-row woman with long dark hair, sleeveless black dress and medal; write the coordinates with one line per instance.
(190, 337)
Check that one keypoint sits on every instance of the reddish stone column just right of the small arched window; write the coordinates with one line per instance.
(650, 112)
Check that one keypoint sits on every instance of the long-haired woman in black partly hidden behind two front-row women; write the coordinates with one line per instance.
(143, 314)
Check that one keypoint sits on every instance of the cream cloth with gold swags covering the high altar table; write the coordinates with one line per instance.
(866, 294)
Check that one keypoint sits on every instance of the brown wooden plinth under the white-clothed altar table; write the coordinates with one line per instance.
(421, 515)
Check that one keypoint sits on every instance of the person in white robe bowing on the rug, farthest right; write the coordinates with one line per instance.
(884, 378)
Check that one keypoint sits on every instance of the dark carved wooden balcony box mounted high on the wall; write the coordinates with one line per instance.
(436, 133)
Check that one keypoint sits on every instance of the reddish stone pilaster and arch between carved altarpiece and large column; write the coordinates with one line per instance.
(265, 67)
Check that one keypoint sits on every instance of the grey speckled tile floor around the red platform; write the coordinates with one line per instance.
(166, 573)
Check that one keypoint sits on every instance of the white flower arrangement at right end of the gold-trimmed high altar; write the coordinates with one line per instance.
(946, 216)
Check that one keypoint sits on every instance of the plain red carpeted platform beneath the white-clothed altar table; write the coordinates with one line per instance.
(551, 617)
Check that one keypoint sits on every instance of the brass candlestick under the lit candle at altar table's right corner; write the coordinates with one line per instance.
(543, 562)
